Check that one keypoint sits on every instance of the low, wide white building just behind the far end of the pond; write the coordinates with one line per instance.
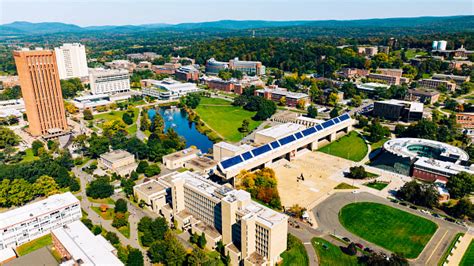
(168, 89)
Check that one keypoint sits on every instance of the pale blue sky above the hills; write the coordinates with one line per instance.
(135, 12)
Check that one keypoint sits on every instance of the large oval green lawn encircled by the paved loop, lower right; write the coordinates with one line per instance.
(398, 231)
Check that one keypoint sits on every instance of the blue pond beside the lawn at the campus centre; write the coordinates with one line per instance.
(178, 120)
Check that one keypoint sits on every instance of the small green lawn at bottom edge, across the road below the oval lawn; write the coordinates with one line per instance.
(330, 254)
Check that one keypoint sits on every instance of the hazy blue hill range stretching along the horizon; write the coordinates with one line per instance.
(441, 24)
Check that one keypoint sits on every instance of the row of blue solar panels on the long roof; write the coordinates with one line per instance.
(283, 141)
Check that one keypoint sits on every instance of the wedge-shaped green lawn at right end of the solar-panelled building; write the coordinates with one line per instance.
(351, 147)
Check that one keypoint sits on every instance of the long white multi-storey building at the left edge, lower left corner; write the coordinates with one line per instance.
(37, 219)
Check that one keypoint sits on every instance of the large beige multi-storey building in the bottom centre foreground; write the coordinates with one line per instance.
(251, 233)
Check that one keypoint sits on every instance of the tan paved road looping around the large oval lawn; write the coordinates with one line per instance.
(326, 214)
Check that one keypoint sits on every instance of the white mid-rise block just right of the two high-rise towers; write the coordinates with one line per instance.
(110, 81)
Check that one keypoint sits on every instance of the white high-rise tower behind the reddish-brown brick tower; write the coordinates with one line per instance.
(71, 60)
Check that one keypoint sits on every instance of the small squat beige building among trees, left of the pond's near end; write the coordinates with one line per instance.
(118, 161)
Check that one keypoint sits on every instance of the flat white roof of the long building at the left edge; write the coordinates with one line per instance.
(35, 209)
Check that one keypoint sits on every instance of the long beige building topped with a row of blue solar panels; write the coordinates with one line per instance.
(286, 147)
